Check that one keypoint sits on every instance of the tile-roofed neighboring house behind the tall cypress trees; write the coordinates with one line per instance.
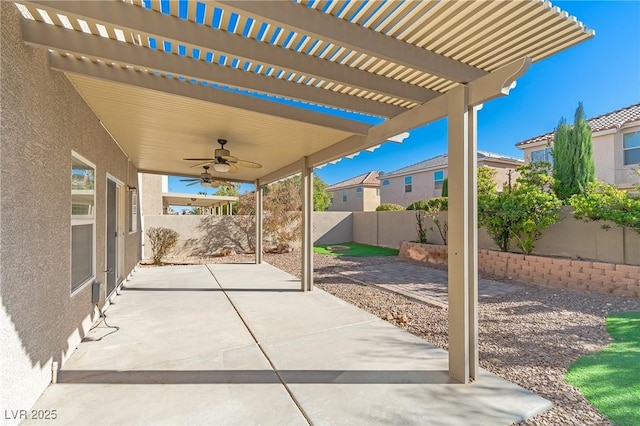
(616, 146)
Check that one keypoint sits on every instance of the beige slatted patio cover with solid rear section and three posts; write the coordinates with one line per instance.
(167, 79)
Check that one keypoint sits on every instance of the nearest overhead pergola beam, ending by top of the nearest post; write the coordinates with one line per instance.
(300, 18)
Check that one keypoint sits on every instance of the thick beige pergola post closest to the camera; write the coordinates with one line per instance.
(462, 238)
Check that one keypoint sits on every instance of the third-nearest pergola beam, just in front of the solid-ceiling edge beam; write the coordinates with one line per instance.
(113, 51)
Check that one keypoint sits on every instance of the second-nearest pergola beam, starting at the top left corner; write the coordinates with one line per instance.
(194, 36)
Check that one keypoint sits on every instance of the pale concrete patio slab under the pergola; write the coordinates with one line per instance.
(239, 344)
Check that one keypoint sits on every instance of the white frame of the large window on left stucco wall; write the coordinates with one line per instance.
(82, 220)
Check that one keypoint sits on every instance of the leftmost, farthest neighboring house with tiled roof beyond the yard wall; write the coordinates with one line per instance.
(358, 194)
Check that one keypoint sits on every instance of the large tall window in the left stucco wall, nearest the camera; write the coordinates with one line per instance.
(83, 201)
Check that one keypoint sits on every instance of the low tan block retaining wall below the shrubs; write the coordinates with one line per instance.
(594, 277)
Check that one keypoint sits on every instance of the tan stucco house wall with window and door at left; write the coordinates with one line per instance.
(69, 217)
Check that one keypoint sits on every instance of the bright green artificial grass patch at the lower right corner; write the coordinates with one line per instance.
(610, 379)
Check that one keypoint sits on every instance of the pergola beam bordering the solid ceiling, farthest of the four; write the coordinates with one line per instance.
(100, 70)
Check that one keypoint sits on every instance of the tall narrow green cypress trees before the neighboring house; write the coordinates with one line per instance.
(573, 168)
